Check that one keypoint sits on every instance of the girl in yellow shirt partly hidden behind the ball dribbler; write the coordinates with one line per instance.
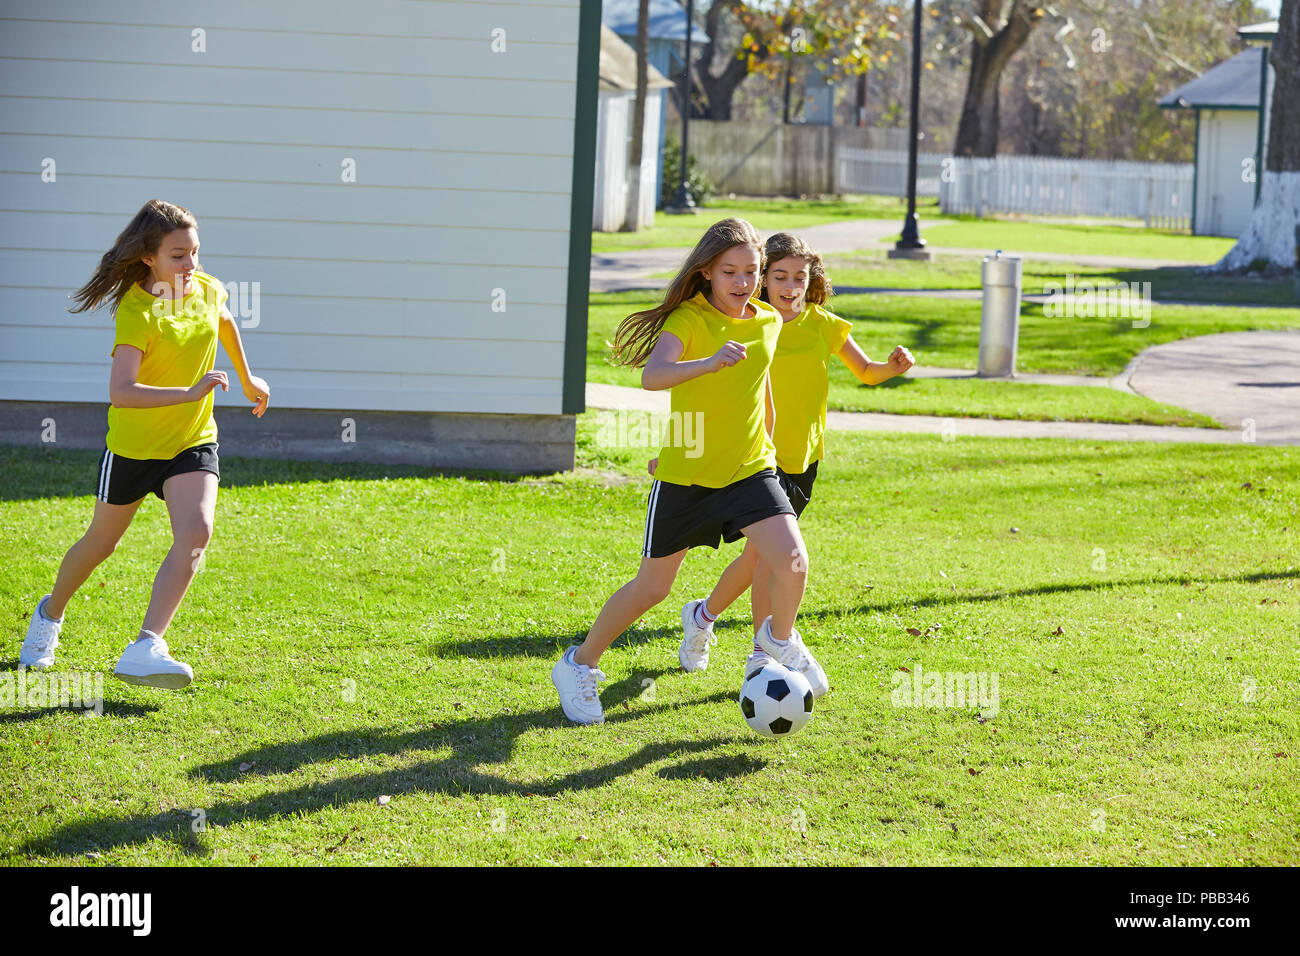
(798, 287)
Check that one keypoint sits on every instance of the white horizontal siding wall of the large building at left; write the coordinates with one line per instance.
(375, 295)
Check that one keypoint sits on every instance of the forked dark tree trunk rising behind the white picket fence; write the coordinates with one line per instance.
(977, 132)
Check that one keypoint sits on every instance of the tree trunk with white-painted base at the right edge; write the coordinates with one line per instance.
(1272, 233)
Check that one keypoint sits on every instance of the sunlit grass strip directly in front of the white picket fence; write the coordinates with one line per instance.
(1076, 240)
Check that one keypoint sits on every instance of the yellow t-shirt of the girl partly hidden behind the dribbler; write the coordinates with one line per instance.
(800, 386)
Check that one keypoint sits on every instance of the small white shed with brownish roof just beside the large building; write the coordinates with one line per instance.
(614, 135)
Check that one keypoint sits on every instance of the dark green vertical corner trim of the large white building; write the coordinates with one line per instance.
(580, 207)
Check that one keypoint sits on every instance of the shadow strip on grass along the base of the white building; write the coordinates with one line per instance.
(44, 473)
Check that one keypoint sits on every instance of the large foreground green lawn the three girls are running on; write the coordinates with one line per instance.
(1138, 604)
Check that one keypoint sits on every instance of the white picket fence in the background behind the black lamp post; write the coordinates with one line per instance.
(1158, 193)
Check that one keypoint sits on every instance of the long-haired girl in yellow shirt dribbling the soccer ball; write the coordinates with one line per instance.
(712, 344)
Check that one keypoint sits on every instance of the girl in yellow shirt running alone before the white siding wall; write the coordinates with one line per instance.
(162, 436)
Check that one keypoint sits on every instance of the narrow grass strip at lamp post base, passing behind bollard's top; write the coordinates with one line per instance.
(951, 271)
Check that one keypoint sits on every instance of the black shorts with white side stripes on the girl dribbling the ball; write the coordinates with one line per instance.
(683, 517)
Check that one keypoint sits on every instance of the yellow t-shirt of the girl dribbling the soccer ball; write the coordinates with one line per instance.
(716, 434)
